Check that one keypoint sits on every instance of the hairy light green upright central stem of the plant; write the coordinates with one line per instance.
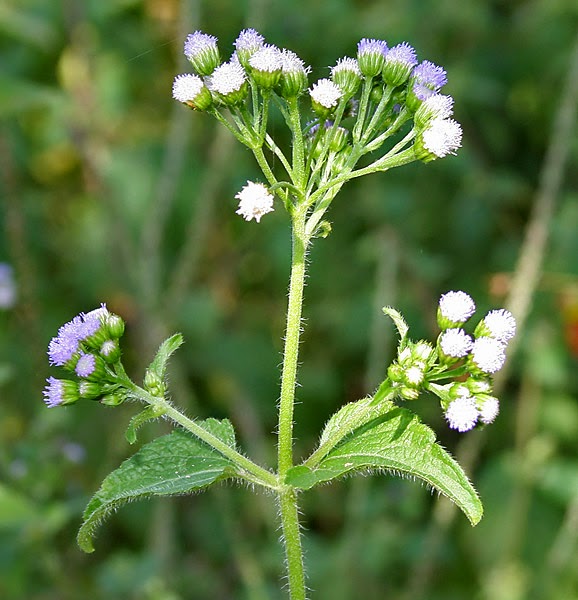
(287, 495)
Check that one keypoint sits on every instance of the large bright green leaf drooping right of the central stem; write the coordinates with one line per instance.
(399, 443)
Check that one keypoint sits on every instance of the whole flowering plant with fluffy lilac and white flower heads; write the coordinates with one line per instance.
(382, 109)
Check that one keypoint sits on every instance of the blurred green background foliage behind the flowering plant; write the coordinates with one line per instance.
(112, 192)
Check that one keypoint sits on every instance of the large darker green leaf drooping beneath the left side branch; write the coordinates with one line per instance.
(178, 463)
